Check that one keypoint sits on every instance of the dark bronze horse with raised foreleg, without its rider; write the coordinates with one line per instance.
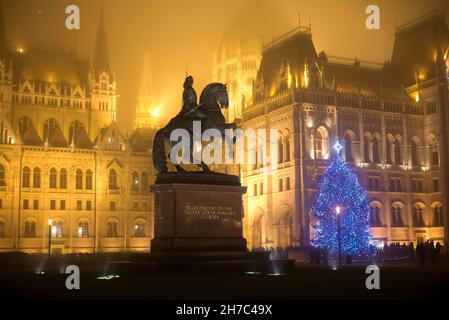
(213, 98)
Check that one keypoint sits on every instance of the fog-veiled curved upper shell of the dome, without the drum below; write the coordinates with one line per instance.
(260, 18)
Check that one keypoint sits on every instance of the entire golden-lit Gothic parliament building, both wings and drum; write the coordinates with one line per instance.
(63, 157)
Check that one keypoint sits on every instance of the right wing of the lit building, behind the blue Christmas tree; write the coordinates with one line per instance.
(392, 139)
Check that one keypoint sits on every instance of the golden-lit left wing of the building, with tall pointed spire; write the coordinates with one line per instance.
(62, 156)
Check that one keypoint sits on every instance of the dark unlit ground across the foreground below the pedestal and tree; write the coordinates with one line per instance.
(397, 281)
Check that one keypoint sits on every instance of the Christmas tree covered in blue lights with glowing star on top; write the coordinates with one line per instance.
(341, 191)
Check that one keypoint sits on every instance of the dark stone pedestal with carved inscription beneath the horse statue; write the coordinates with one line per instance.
(198, 212)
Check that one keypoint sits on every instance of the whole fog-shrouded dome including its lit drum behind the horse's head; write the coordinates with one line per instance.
(239, 55)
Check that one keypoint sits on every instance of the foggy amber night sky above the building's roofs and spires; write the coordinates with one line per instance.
(185, 33)
